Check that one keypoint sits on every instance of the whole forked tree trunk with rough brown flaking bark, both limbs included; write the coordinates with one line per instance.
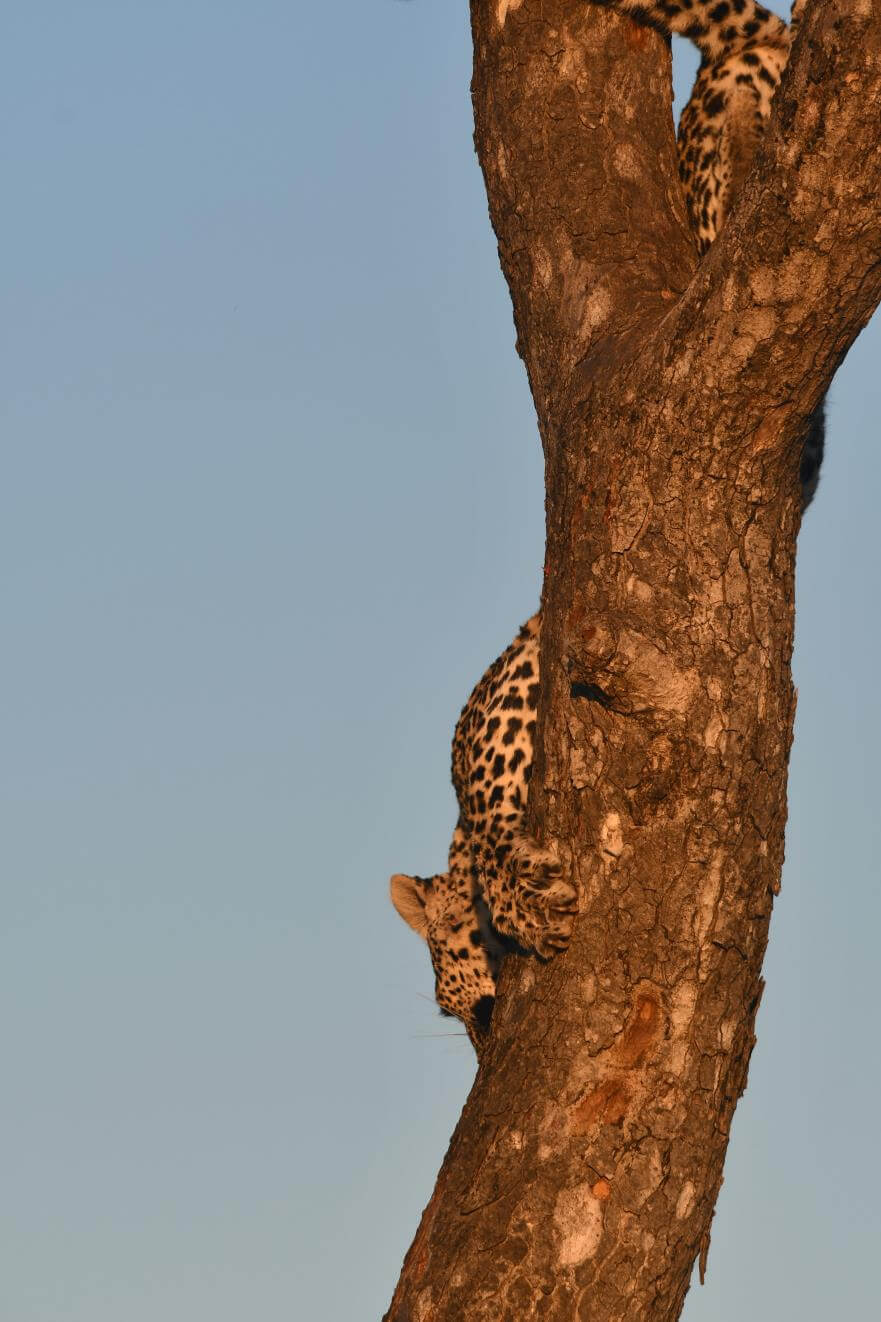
(581, 1180)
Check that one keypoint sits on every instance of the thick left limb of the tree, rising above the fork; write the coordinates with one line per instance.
(576, 142)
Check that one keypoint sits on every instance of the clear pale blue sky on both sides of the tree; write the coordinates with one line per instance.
(271, 502)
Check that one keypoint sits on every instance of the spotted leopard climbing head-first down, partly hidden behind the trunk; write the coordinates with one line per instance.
(505, 890)
